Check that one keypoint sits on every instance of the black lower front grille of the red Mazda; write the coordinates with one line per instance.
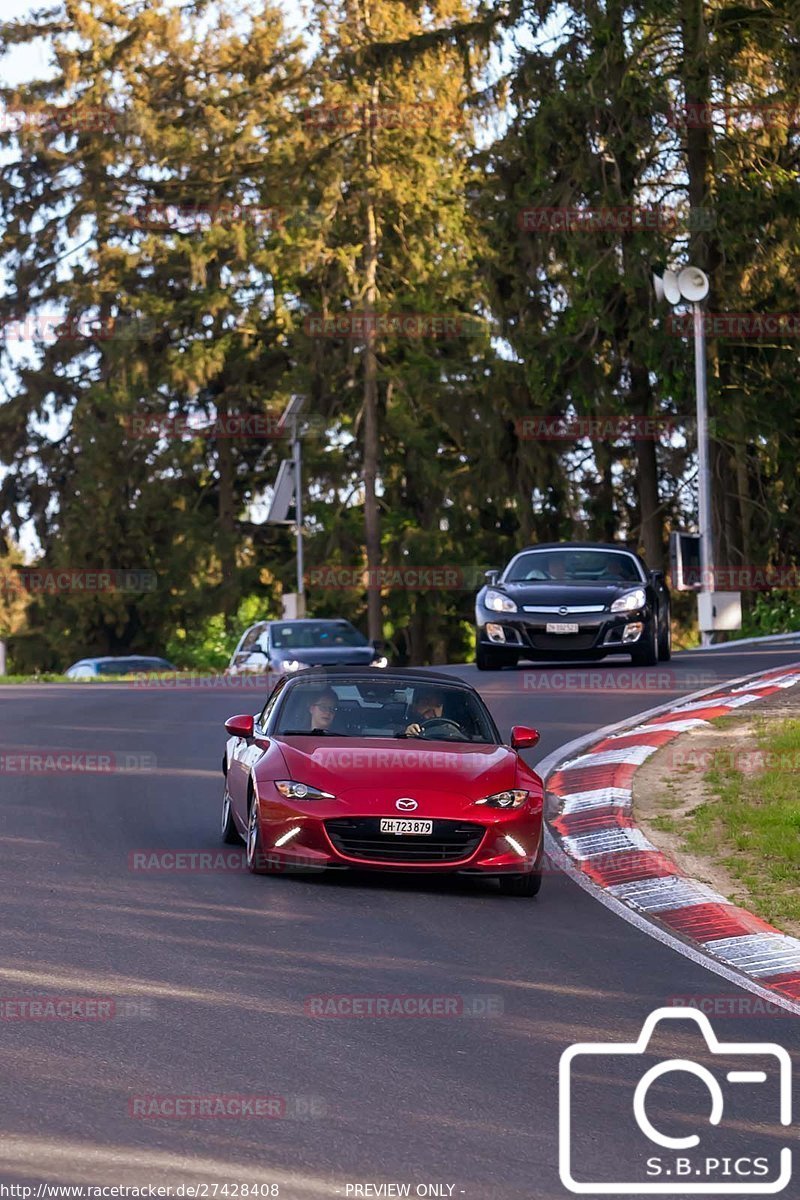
(362, 838)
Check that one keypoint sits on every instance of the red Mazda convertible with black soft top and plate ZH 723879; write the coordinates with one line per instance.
(406, 773)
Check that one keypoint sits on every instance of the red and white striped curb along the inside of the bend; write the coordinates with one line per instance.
(593, 833)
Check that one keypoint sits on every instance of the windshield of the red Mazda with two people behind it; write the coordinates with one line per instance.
(365, 709)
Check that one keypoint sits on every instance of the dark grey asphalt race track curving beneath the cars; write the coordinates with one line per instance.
(210, 974)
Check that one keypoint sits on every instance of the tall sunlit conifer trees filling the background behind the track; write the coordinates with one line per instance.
(206, 317)
